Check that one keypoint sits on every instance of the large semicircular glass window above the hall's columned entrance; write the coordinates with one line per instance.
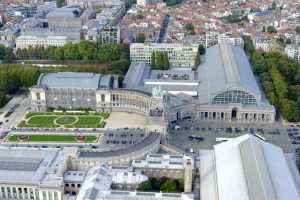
(234, 96)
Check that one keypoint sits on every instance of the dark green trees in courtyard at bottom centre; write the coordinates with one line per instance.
(162, 184)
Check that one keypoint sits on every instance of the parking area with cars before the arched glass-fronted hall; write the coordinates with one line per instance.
(209, 132)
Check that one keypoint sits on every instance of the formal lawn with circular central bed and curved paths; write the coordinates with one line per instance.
(64, 119)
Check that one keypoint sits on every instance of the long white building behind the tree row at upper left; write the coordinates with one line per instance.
(25, 41)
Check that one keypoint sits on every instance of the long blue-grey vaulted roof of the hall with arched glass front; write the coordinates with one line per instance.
(226, 66)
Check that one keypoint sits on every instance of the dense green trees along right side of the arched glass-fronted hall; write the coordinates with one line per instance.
(280, 79)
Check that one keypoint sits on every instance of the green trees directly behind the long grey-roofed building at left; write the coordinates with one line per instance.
(14, 77)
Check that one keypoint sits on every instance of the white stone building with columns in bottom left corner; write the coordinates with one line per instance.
(37, 174)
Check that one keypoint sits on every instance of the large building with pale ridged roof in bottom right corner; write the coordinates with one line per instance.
(247, 168)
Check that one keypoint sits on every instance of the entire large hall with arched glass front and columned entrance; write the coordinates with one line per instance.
(228, 89)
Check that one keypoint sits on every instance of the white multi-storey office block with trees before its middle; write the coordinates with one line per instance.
(180, 55)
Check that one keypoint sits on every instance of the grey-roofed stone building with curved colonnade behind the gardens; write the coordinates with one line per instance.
(99, 92)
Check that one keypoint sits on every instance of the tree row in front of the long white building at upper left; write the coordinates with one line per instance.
(84, 50)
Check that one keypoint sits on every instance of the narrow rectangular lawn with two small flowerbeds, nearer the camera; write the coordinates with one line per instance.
(52, 138)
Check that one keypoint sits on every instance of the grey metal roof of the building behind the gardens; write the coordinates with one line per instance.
(74, 80)
